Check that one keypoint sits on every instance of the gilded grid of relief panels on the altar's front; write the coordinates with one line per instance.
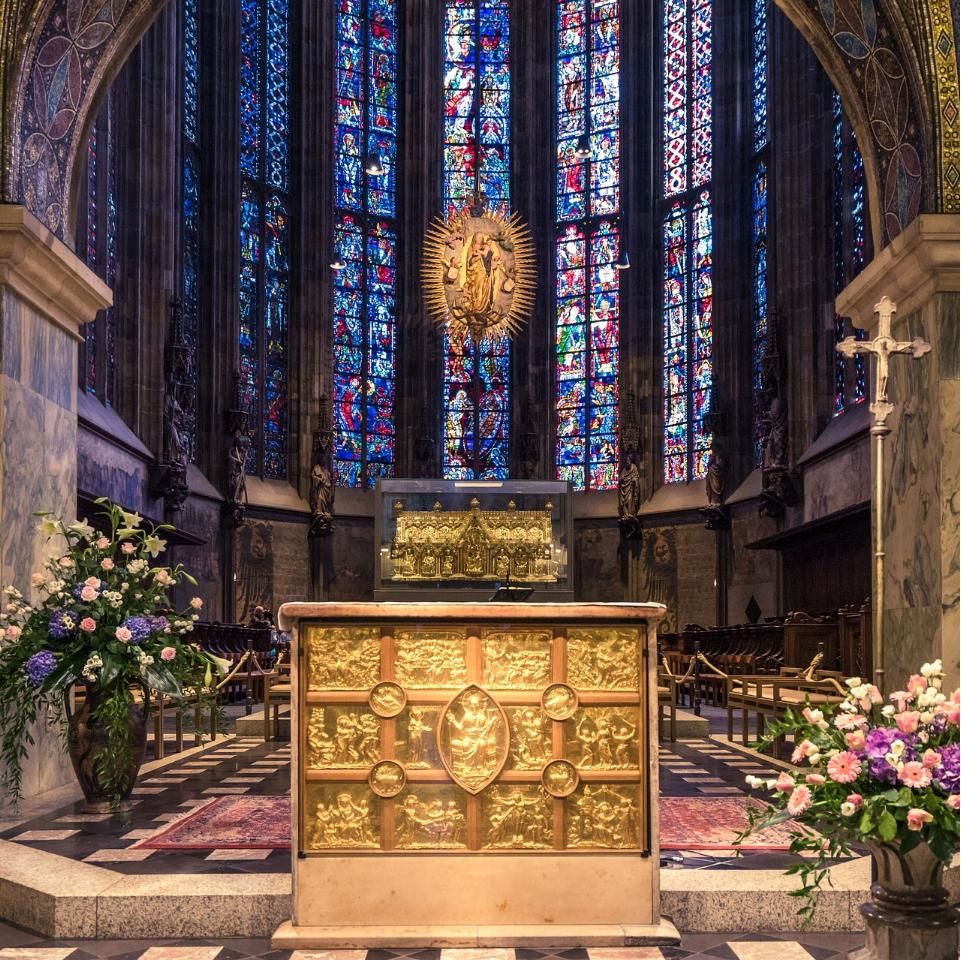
(469, 738)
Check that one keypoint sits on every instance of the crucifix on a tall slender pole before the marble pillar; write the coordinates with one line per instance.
(882, 347)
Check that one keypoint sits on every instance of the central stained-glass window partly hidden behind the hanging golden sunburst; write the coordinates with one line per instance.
(477, 92)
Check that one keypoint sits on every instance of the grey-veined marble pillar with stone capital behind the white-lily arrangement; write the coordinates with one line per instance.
(46, 293)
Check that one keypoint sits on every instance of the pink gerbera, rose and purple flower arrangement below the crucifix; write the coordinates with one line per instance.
(873, 772)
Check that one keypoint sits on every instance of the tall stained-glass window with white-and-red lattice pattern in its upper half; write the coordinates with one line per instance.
(687, 249)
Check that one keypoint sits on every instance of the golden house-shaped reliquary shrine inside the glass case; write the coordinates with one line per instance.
(473, 544)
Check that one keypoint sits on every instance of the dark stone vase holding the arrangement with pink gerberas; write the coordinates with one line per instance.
(908, 915)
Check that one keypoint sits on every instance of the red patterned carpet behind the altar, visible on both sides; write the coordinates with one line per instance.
(687, 823)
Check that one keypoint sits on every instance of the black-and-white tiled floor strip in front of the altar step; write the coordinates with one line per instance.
(18, 945)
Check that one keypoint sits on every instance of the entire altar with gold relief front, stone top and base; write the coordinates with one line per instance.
(473, 774)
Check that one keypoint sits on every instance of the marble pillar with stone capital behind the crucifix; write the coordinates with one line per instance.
(918, 270)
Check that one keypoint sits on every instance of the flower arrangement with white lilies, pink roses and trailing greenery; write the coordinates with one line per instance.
(103, 618)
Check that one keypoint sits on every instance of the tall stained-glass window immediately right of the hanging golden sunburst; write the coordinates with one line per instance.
(587, 241)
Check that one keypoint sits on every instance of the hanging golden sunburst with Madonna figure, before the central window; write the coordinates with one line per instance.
(479, 274)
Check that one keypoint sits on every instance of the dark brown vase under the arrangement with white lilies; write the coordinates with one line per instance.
(86, 739)
